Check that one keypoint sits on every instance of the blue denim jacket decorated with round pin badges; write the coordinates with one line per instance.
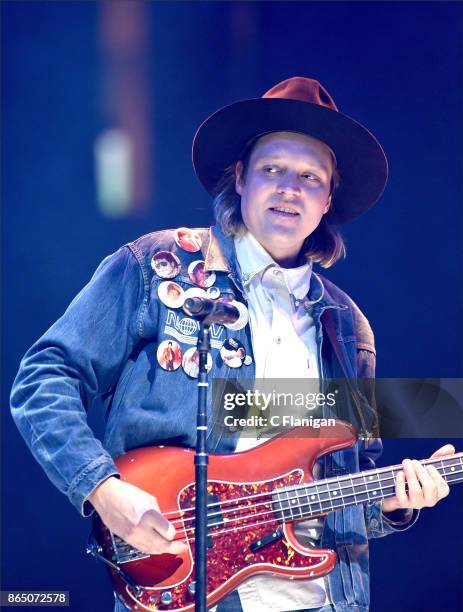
(104, 347)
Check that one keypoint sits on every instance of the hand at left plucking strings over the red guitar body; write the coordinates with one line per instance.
(134, 515)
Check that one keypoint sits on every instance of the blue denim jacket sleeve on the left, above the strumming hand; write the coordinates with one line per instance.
(79, 358)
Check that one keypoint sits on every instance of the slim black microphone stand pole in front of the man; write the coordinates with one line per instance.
(201, 462)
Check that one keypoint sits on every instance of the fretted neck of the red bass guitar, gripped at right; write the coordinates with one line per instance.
(327, 495)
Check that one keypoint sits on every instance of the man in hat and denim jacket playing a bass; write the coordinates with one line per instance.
(285, 170)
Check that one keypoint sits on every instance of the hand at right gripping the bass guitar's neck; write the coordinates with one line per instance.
(425, 485)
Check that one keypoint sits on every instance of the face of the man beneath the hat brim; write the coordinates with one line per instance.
(286, 191)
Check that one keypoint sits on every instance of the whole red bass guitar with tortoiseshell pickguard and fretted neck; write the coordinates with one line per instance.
(254, 499)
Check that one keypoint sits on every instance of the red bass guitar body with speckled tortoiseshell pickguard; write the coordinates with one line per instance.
(168, 474)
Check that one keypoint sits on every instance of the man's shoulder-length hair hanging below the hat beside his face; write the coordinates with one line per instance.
(325, 245)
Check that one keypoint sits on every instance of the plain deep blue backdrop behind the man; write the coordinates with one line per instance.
(396, 67)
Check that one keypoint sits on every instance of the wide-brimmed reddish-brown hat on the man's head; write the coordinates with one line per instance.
(302, 105)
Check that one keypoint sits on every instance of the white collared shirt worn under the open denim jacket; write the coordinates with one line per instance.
(284, 346)
